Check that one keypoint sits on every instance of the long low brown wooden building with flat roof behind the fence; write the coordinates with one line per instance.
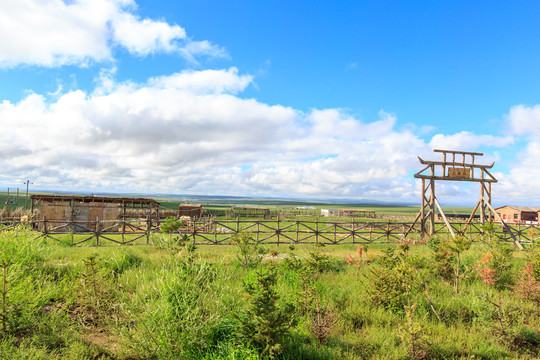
(85, 213)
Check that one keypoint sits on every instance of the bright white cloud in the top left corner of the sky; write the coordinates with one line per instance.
(53, 33)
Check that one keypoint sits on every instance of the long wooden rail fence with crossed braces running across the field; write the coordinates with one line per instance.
(277, 231)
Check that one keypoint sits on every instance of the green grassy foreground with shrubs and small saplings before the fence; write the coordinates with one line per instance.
(170, 300)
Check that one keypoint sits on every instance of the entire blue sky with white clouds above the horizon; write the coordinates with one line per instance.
(310, 99)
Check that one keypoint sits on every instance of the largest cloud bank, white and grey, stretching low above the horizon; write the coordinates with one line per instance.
(190, 132)
